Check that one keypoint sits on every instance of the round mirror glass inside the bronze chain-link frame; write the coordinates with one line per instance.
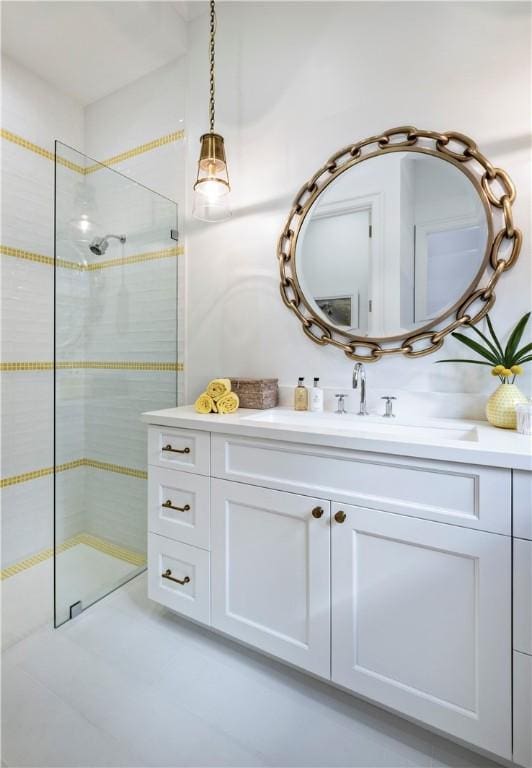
(392, 244)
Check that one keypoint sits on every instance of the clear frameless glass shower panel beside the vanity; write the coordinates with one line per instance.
(115, 356)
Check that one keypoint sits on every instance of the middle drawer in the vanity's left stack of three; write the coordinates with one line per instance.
(179, 506)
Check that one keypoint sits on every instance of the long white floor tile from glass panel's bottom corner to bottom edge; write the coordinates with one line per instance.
(158, 730)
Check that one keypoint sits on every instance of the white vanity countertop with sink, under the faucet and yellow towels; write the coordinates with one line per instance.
(427, 439)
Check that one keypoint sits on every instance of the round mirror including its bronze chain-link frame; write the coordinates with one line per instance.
(391, 237)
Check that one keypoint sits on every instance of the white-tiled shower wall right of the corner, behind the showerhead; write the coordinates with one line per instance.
(115, 400)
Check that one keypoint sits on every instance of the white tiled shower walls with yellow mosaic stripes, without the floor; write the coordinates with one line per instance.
(108, 312)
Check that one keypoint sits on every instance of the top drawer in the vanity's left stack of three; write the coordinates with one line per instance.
(185, 449)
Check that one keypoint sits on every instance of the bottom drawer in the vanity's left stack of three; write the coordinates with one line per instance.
(180, 562)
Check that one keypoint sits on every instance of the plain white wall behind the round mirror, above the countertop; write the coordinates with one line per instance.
(297, 81)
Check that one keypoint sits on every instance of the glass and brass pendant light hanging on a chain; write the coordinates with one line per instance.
(211, 190)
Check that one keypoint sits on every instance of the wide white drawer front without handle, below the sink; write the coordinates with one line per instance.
(459, 494)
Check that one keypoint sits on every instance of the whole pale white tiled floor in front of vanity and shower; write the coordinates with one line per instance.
(129, 683)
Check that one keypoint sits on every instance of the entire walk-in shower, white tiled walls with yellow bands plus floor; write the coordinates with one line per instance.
(118, 337)
